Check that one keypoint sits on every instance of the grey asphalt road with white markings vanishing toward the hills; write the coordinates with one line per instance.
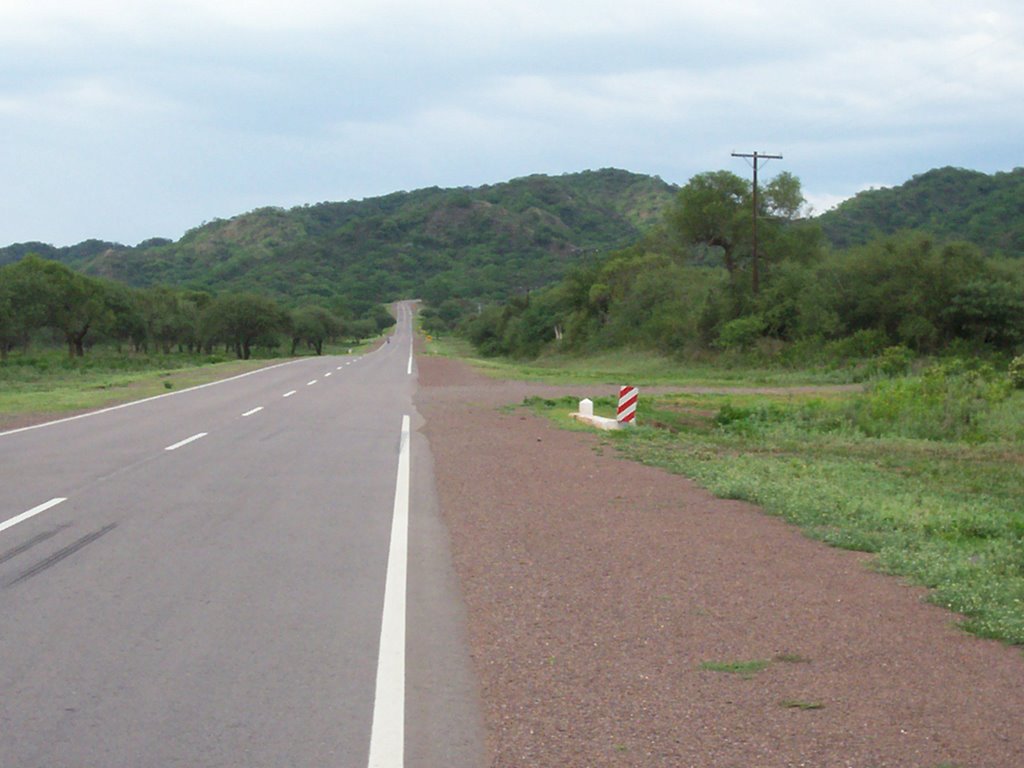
(248, 574)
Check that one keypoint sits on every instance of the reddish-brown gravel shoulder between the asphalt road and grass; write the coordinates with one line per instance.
(596, 588)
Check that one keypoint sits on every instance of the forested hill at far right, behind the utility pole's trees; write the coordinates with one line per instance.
(951, 203)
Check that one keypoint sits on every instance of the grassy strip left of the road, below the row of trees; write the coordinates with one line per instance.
(48, 385)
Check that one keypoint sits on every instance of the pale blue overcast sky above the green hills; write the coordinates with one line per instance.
(130, 119)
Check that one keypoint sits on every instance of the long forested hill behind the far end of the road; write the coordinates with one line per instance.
(482, 243)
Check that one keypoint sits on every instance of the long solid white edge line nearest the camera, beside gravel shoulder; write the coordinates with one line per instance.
(388, 736)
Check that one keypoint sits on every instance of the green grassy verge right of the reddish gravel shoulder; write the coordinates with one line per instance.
(925, 471)
